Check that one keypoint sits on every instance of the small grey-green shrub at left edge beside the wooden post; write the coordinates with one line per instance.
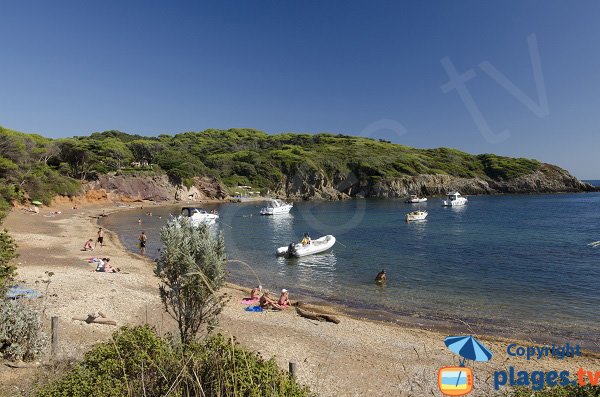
(21, 335)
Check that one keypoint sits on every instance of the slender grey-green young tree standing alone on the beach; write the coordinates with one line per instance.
(191, 268)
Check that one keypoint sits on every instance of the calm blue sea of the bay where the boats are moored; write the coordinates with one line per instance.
(507, 265)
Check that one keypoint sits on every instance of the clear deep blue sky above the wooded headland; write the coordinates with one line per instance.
(371, 68)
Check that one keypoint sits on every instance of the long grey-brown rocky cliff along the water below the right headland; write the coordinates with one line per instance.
(309, 185)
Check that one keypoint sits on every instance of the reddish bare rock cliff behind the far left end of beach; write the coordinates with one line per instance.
(129, 188)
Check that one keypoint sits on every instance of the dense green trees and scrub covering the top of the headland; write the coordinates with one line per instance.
(38, 168)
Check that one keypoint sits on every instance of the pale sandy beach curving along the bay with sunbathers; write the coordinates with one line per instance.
(356, 357)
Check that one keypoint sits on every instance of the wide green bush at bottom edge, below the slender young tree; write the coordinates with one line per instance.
(137, 362)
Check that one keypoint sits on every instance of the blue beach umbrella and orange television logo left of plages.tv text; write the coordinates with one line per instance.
(458, 380)
